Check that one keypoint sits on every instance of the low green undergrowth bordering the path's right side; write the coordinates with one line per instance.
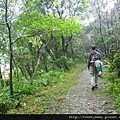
(113, 86)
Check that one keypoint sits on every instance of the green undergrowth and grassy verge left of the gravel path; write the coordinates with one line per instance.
(47, 91)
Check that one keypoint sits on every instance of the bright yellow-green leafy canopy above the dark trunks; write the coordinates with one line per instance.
(36, 24)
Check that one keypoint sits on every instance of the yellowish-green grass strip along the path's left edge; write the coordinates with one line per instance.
(49, 97)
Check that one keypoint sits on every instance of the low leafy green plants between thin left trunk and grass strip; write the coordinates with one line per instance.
(24, 87)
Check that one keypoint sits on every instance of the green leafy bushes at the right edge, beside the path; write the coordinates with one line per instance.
(113, 81)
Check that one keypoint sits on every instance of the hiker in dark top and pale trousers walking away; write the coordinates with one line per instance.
(95, 66)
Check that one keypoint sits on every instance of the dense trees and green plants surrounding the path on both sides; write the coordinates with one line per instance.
(42, 40)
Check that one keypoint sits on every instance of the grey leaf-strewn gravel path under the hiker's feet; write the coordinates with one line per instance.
(82, 100)
